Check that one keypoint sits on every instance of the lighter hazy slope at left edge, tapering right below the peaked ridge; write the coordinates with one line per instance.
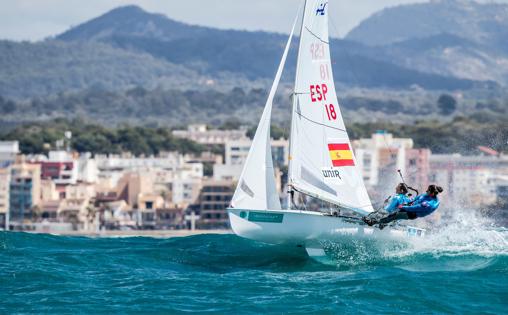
(50, 67)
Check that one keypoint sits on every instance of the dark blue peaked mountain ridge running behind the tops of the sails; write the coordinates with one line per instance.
(253, 54)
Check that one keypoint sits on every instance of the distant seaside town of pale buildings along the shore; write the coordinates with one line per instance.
(64, 192)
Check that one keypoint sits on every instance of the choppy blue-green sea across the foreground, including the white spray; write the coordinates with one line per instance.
(450, 273)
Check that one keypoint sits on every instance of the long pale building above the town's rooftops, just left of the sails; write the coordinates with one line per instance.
(200, 134)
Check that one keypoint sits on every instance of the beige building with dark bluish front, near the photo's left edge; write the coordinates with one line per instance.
(24, 194)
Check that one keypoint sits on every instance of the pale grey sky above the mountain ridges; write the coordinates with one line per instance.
(35, 20)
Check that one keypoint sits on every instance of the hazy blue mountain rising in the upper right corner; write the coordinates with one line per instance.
(458, 38)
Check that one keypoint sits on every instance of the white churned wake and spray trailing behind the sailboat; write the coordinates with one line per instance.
(464, 243)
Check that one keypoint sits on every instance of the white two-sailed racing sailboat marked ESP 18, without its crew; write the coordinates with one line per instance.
(322, 165)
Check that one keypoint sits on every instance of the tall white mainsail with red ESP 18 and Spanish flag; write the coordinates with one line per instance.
(322, 163)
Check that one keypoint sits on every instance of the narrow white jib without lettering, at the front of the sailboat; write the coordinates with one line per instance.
(256, 188)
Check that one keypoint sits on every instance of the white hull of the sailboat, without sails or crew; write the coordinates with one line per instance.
(306, 228)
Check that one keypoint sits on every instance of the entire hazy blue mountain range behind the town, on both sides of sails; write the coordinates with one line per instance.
(129, 65)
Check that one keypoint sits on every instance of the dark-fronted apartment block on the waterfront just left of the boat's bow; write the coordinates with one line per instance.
(213, 200)
